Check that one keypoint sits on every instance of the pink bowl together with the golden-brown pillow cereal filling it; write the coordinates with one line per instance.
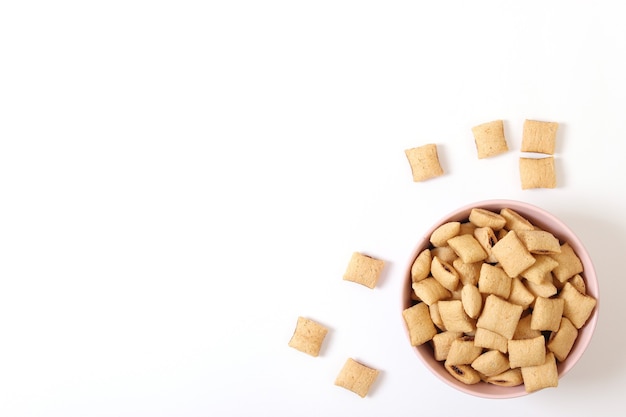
(500, 299)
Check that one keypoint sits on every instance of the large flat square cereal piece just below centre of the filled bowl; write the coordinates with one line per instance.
(500, 316)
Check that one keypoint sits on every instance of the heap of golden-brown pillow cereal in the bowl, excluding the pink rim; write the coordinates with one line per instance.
(501, 318)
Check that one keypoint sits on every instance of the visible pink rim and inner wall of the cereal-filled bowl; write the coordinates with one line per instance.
(546, 221)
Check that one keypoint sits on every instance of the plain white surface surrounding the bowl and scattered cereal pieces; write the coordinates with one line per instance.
(180, 180)
